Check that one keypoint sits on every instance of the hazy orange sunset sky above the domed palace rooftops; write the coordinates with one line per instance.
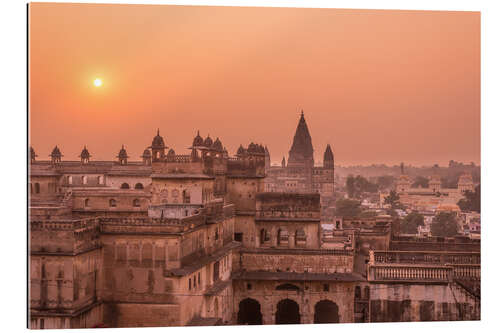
(379, 86)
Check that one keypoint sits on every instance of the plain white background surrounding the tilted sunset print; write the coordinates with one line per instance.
(13, 134)
